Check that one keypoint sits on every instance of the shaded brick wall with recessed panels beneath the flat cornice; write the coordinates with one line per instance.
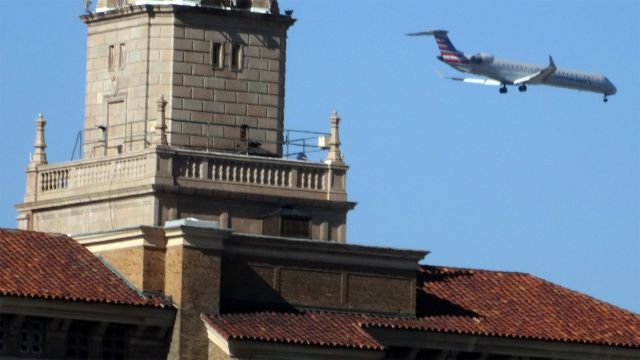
(260, 284)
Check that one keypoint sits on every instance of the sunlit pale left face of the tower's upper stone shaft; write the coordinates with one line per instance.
(128, 68)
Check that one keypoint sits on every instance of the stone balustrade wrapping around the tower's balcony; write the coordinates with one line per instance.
(189, 169)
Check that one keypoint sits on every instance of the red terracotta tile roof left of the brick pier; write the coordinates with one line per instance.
(54, 266)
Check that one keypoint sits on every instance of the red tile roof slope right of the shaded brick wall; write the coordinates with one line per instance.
(517, 305)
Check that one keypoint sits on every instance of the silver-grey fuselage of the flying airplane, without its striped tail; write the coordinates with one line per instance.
(507, 71)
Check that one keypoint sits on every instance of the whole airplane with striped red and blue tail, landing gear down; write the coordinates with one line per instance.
(498, 72)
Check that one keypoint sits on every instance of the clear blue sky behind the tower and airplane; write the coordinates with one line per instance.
(546, 182)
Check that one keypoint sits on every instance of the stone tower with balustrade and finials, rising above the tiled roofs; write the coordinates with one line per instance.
(184, 118)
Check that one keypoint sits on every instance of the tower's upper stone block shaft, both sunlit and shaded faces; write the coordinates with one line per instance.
(222, 73)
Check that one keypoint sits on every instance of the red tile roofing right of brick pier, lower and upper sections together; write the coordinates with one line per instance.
(463, 301)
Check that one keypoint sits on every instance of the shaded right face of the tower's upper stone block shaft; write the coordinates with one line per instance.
(228, 84)
